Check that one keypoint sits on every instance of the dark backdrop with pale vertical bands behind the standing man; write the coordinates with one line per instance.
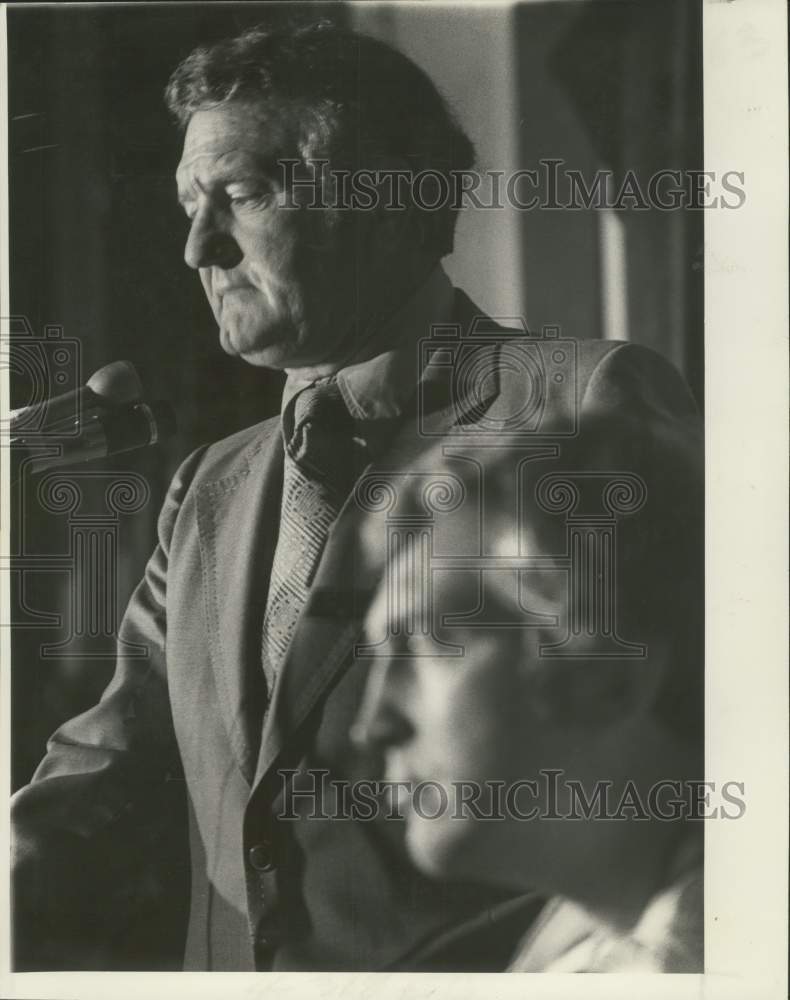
(97, 239)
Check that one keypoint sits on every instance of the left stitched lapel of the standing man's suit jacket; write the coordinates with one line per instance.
(237, 523)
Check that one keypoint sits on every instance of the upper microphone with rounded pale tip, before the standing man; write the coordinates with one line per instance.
(112, 385)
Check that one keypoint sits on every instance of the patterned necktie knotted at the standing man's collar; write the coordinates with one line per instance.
(322, 462)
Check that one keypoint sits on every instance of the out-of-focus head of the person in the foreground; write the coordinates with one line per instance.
(508, 712)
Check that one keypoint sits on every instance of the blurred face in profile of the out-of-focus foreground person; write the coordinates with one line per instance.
(468, 719)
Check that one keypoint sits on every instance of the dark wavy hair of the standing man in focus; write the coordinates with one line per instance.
(360, 102)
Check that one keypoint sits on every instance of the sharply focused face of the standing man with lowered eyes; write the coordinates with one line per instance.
(279, 280)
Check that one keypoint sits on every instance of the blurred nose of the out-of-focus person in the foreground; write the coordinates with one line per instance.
(382, 720)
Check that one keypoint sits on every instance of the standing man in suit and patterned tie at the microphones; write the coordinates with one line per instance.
(151, 834)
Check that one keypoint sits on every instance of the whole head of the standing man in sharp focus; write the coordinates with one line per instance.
(291, 137)
